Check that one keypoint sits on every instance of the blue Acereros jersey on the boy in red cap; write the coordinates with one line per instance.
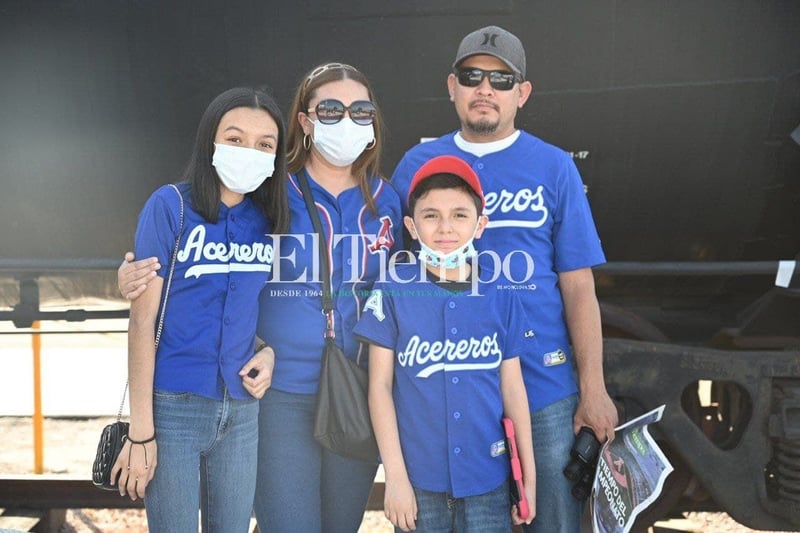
(448, 348)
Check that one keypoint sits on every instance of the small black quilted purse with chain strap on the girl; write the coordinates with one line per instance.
(113, 435)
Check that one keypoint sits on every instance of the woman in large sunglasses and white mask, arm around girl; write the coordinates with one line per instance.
(335, 137)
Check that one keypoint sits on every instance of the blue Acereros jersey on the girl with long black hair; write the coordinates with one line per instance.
(210, 319)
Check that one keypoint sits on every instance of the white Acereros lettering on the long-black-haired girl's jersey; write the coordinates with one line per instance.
(222, 258)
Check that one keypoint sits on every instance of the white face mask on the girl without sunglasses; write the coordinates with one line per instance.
(242, 170)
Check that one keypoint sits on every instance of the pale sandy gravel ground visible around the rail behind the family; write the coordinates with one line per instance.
(69, 447)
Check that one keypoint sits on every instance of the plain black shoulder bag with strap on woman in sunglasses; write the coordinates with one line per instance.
(342, 423)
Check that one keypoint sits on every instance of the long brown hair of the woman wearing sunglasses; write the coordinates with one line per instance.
(368, 163)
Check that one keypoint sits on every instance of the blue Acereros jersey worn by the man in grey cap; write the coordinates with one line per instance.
(537, 209)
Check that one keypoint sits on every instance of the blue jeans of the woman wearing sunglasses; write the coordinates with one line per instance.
(301, 485)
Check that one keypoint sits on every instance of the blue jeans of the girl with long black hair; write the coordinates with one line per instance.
(207, 459)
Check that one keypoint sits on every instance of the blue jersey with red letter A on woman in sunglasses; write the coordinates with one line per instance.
(359, 244)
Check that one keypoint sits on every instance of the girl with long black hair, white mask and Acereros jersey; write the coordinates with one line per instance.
(194, 408)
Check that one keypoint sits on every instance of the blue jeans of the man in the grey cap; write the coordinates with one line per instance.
(557, 511)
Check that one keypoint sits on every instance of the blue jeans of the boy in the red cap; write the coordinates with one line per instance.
(438, 512)
